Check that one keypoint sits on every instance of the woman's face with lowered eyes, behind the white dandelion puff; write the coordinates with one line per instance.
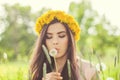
(56, 37)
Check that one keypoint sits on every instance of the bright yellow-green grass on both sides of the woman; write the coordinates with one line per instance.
(19, 70)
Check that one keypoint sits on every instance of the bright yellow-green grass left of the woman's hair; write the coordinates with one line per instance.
(14, 71)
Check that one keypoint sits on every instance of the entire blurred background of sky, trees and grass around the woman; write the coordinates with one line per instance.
(99, 42)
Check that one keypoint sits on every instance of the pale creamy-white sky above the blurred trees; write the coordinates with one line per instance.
(109, 8)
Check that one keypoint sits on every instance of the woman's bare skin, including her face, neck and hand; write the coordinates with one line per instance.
(57, 38)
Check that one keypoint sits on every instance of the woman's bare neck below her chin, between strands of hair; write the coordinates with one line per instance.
(61, 62)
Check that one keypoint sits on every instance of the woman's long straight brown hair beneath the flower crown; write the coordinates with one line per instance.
(36, 67)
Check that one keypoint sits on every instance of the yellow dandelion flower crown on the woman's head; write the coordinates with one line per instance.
(62, 17)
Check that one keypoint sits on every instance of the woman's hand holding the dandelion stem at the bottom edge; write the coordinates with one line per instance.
(53, 76)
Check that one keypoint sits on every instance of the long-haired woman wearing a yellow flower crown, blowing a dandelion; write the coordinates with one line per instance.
(58, 30)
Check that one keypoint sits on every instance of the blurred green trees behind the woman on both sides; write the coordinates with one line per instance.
(18, 37)
